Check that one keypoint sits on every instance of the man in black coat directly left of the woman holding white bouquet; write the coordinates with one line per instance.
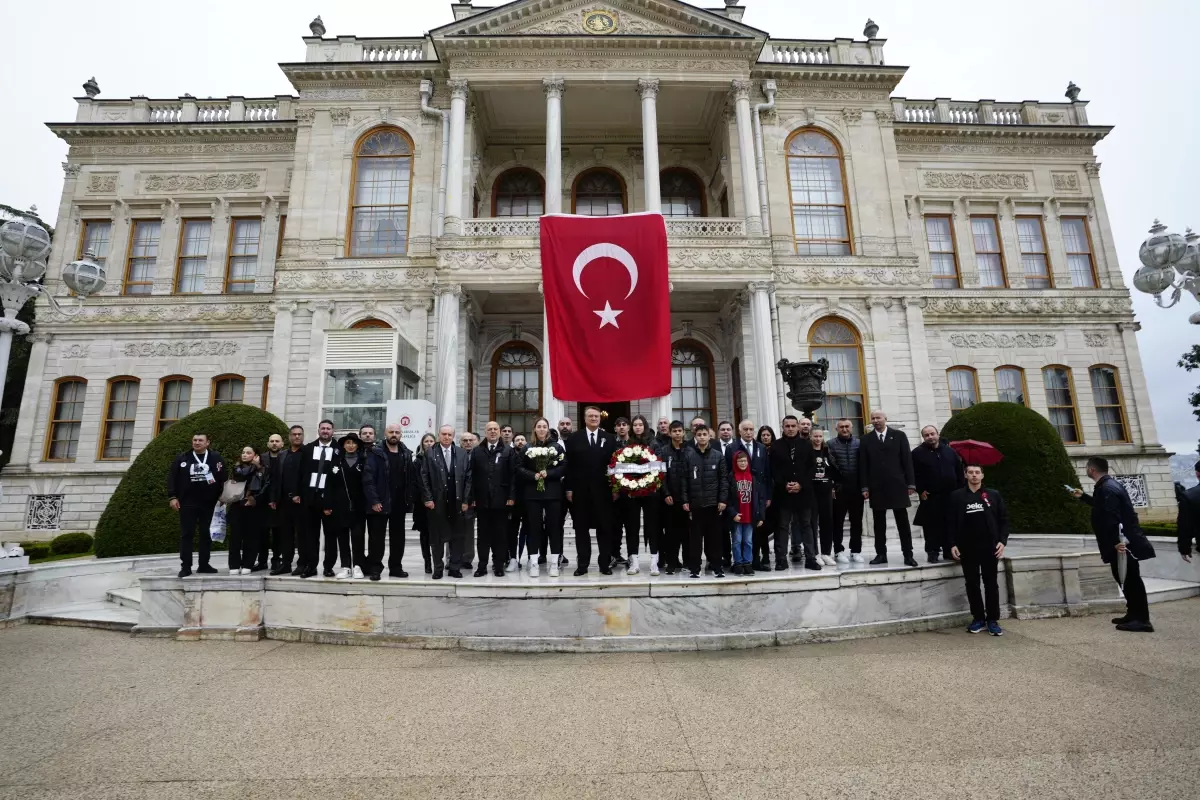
(491, 489)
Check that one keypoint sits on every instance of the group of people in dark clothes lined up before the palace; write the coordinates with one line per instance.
(747, 503)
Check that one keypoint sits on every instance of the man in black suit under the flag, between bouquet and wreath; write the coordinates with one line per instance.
(589, 491)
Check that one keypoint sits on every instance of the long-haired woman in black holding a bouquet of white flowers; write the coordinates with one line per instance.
(541, 470)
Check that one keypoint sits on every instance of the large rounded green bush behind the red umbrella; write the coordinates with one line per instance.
(1035, 470)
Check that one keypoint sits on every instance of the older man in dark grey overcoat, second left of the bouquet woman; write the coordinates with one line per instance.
(445, 476)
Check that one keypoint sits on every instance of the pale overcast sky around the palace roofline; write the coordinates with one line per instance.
(1133, 62)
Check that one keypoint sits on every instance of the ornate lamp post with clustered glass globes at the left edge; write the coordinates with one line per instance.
(25, 248)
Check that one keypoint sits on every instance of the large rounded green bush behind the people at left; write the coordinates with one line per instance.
(137, 520)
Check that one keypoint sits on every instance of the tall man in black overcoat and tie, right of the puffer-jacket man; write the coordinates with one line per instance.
(885, 472)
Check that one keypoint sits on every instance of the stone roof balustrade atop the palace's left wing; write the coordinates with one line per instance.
(188, 110)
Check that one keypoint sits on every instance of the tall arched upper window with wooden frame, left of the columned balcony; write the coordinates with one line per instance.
(381, 194)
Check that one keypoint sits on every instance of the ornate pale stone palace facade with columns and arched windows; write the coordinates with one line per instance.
(375, 237)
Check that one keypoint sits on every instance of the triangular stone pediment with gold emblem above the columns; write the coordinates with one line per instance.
(597, 19)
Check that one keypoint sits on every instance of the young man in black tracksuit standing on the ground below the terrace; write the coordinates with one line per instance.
(977, 531)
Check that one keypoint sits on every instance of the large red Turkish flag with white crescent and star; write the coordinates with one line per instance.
(608, 306)
